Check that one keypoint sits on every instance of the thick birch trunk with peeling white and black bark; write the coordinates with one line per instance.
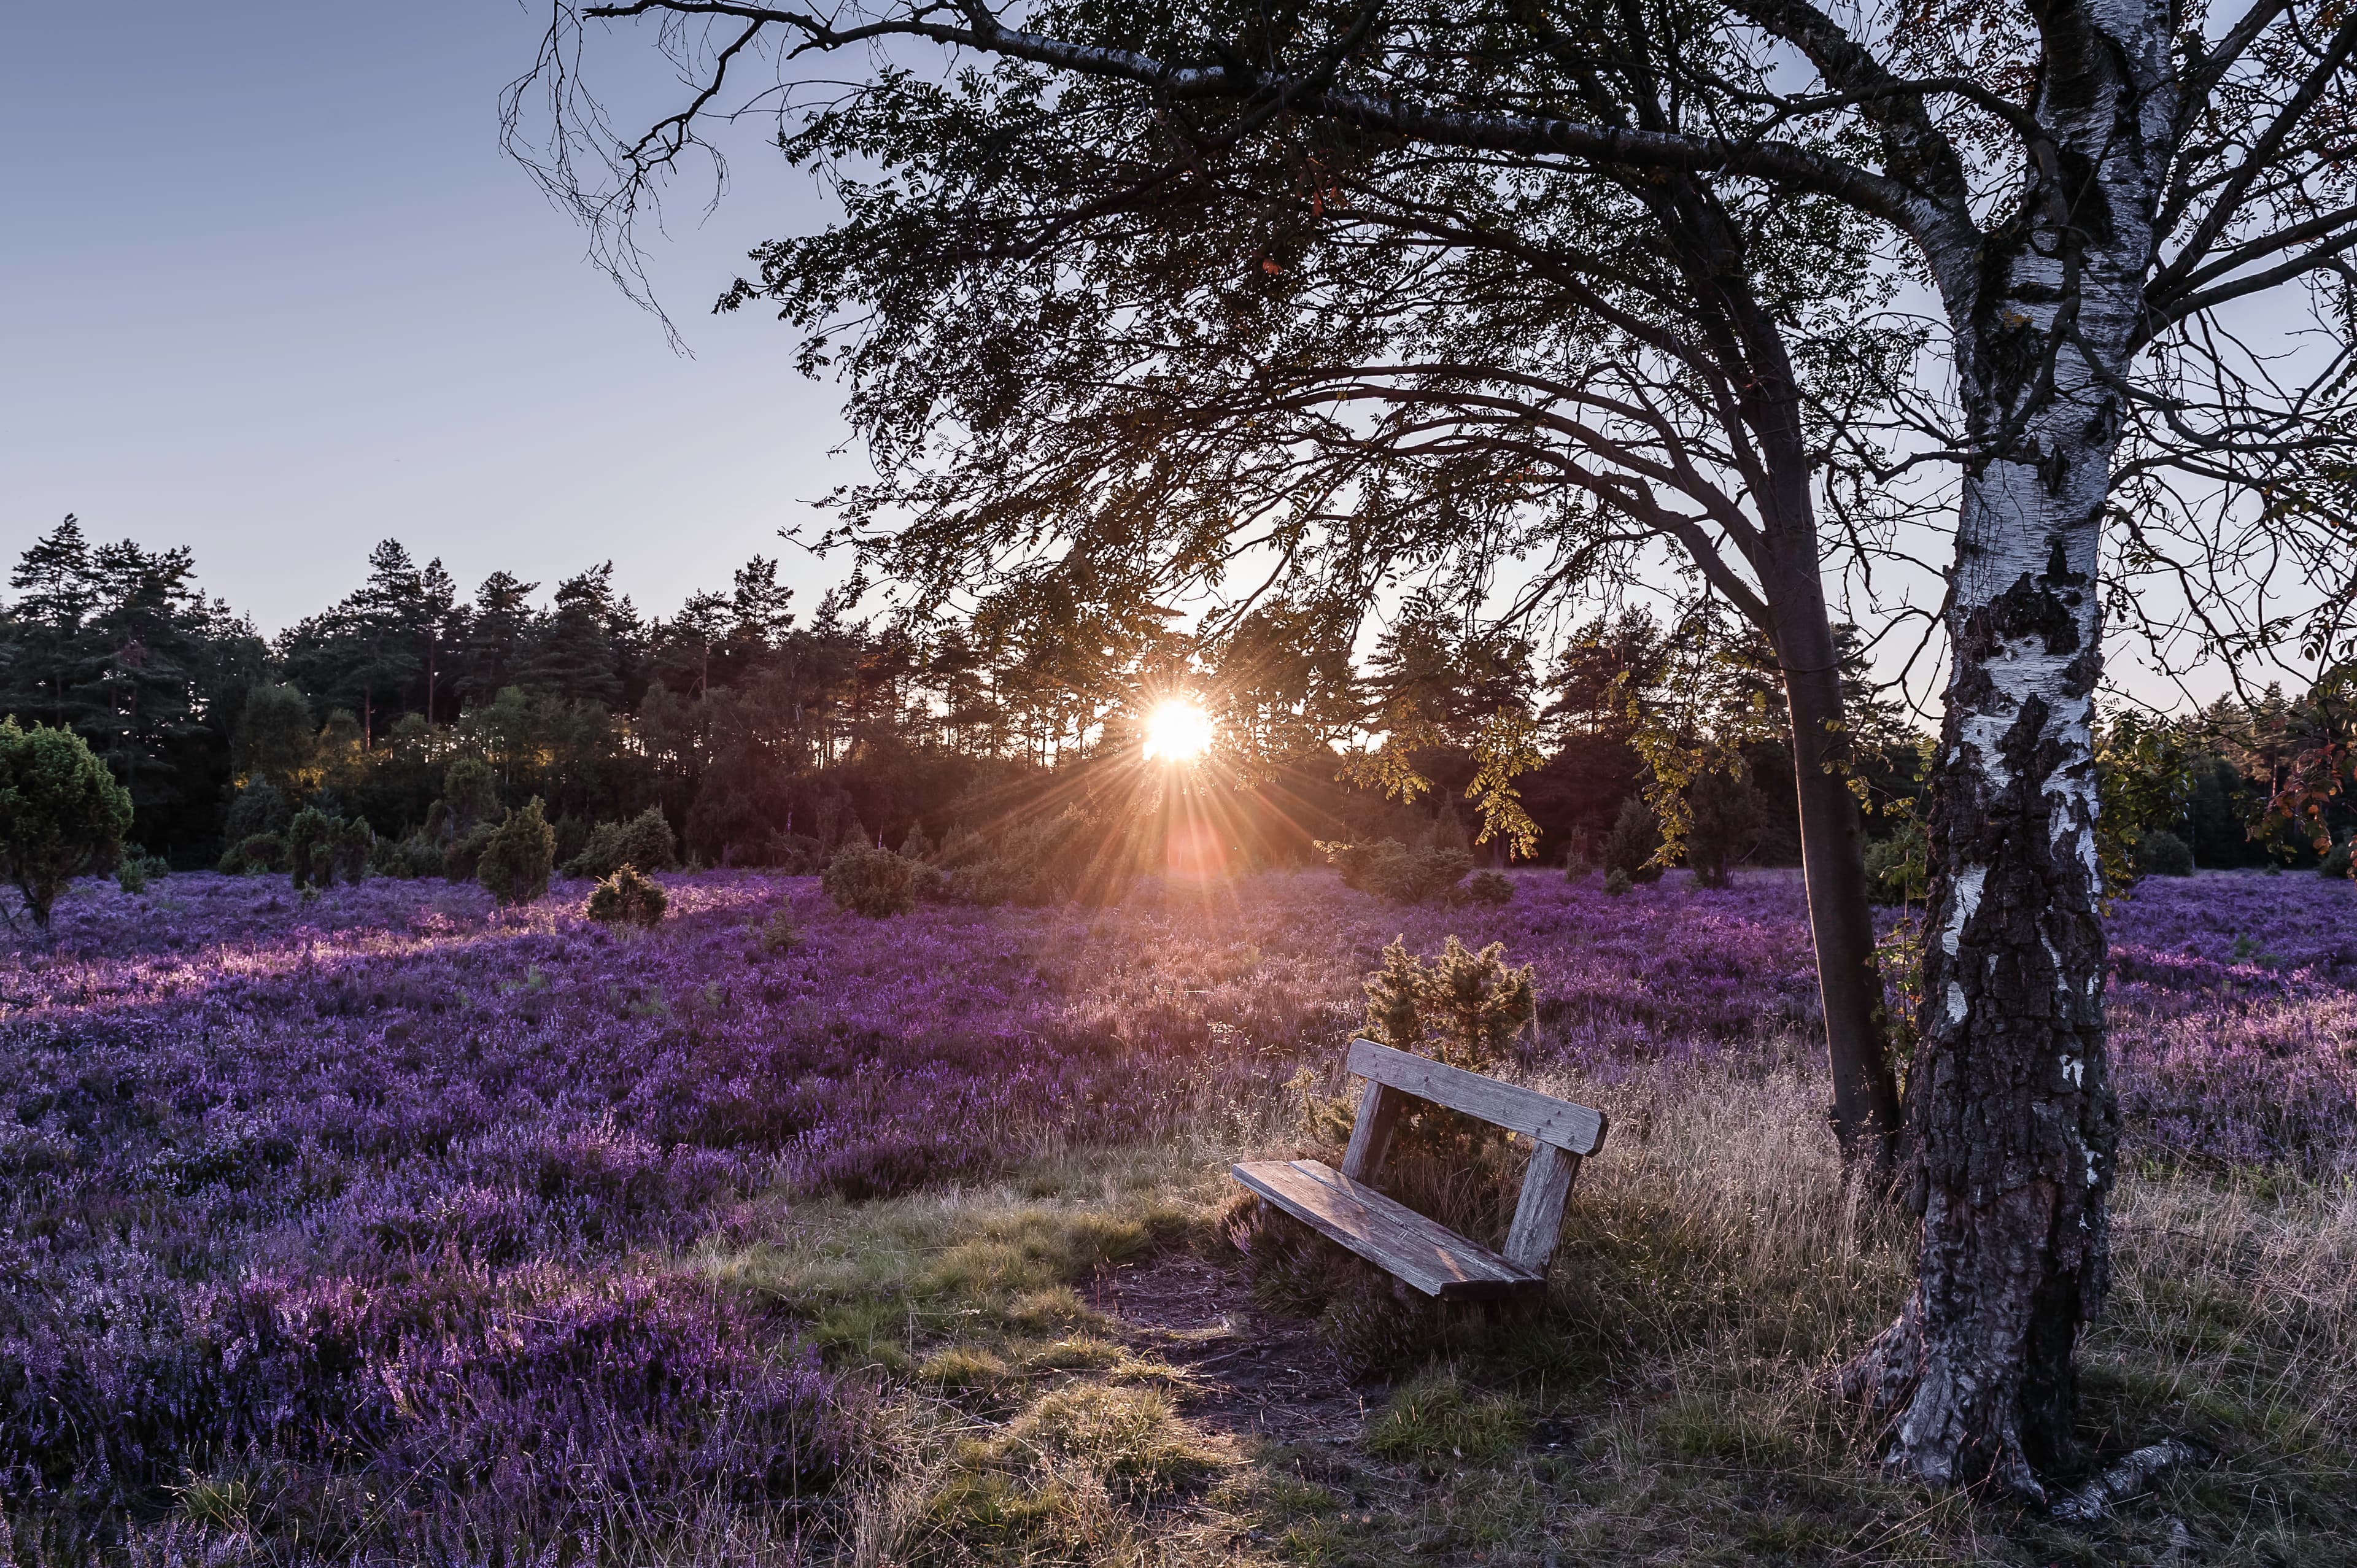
(2009, 1105)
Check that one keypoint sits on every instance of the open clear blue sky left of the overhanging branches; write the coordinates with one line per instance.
(270, 289)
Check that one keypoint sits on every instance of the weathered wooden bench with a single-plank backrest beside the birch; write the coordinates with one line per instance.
(1406, 1244)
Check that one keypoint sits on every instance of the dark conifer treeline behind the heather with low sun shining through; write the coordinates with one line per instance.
(753, 725)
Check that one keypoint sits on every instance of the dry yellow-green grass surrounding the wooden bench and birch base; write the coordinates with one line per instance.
(1668, 1402)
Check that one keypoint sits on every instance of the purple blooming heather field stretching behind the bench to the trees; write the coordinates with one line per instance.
(388, 1180)
